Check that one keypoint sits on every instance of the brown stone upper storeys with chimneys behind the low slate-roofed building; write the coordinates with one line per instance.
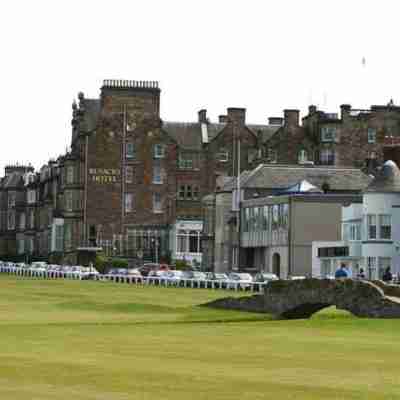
(360, 138)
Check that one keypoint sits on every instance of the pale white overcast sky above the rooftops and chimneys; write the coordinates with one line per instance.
(262, 55)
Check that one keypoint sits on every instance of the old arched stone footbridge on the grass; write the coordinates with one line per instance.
(302, 298)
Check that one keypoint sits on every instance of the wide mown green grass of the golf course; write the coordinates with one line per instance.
(96, 340)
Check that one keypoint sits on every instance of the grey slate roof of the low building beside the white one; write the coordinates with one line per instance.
(279, 177)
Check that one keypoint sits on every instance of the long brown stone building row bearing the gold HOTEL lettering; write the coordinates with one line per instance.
(128, 182)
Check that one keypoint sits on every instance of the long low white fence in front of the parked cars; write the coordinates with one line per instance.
(135, 280)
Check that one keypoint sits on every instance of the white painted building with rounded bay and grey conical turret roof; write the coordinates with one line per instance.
(370, 231)
